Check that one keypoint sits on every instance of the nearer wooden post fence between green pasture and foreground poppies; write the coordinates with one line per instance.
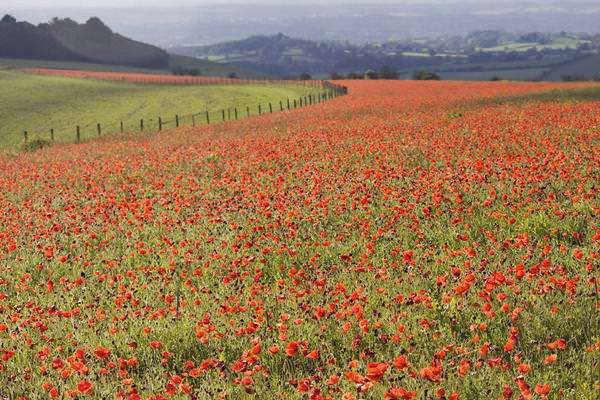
(206, 117)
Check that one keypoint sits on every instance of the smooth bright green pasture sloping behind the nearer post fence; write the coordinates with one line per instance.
(38, 103)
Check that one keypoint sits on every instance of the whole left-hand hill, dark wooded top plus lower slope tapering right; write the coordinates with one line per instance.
(66, 44)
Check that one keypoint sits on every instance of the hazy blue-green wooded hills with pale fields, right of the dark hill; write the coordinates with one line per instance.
(481, 55)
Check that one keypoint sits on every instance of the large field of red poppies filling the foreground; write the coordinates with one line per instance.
(411, 240)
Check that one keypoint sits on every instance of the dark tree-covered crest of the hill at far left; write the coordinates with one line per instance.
(66, 40)
